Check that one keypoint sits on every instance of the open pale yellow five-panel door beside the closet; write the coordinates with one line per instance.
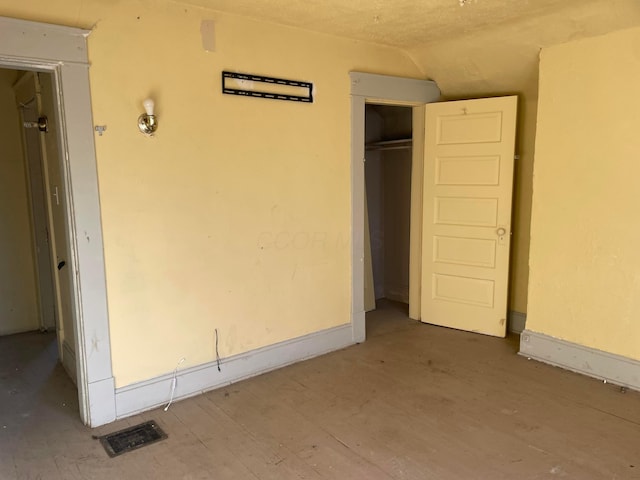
(468, 182)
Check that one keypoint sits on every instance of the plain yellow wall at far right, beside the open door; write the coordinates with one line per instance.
(585, 234)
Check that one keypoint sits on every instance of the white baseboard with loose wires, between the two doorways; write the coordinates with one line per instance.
(141, 396)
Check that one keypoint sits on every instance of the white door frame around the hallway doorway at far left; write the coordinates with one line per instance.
(62, 51)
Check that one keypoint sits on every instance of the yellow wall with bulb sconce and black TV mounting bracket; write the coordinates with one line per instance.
(236, 215)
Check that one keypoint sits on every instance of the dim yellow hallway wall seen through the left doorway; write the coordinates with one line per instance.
(18, 291)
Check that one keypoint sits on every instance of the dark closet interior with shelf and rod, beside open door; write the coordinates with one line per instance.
(388, 159)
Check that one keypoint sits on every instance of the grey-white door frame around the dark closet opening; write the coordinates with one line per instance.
(397, 91)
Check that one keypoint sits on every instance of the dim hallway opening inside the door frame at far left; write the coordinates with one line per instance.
(33, 184)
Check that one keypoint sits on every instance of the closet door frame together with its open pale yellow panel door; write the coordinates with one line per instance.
(459, 248)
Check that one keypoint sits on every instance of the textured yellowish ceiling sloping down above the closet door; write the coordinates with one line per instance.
(481, 47)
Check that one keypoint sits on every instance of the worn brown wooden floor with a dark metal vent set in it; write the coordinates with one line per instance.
(412, 402)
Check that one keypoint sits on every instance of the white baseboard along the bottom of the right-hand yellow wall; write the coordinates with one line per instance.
(613, 368)
